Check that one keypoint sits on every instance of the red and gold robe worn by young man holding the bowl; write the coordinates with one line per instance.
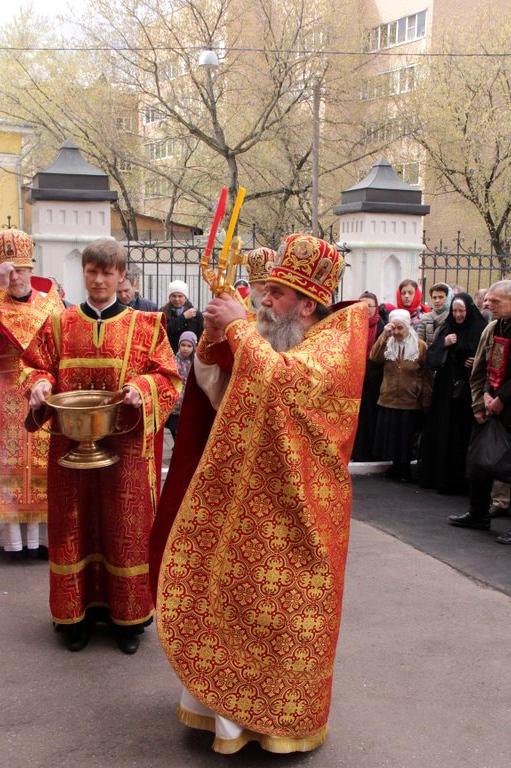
(99, 519)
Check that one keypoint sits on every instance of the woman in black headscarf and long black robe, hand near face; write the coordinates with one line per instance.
(451, 356)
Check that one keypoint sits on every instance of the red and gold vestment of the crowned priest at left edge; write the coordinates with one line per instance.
(23, 457)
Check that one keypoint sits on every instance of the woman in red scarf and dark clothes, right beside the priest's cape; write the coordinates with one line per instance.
(363, 447)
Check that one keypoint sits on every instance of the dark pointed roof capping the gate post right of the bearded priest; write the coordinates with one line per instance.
(382, 191)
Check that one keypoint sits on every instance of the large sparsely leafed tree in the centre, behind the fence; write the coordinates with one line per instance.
(248, 119)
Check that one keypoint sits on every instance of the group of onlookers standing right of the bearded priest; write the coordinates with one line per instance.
(433, 374)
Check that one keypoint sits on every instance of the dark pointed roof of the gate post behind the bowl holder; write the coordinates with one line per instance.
(71, 177)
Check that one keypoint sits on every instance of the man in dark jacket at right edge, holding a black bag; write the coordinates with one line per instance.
(490, 383)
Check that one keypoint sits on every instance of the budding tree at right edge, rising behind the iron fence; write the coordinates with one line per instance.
(463, 108)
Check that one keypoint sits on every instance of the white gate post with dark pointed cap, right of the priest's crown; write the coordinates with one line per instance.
(381, 223)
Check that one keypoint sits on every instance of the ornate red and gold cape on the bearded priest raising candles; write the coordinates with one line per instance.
(251, 582)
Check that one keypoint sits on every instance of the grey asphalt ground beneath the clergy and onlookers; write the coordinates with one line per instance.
(422, 679)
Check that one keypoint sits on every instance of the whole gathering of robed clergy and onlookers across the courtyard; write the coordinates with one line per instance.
(242, 556)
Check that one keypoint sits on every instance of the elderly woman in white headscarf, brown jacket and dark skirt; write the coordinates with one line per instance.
(404, 394)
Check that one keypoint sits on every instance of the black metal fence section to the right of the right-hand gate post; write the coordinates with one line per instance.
(467, 266)
